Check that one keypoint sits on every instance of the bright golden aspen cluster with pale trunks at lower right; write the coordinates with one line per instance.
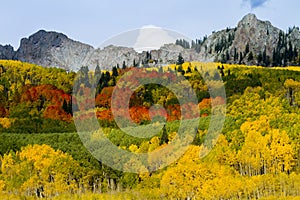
(266, 150)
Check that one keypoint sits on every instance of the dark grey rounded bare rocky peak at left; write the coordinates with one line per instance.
(52, 49)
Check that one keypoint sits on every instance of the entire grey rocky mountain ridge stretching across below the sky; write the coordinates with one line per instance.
(252, 42)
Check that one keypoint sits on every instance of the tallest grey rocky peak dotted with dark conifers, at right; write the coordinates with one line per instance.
(252, 42)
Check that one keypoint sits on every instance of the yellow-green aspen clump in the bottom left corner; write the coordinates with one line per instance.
(39, 169)
